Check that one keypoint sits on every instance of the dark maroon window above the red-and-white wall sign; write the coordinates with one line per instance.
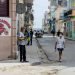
(4, 8)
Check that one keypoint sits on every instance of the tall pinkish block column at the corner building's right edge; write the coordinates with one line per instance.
(12, 13)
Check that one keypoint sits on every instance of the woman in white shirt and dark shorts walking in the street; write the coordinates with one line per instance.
(60, 45)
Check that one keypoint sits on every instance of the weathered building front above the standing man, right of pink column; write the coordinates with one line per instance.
(26, 17)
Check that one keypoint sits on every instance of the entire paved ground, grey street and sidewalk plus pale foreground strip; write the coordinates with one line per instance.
(42, 59)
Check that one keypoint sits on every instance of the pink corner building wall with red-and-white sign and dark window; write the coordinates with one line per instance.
(7, 42)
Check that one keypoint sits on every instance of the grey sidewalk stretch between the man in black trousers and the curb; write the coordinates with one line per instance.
(32, 53)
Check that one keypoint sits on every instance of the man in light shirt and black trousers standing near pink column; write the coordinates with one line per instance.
(22, 45)
